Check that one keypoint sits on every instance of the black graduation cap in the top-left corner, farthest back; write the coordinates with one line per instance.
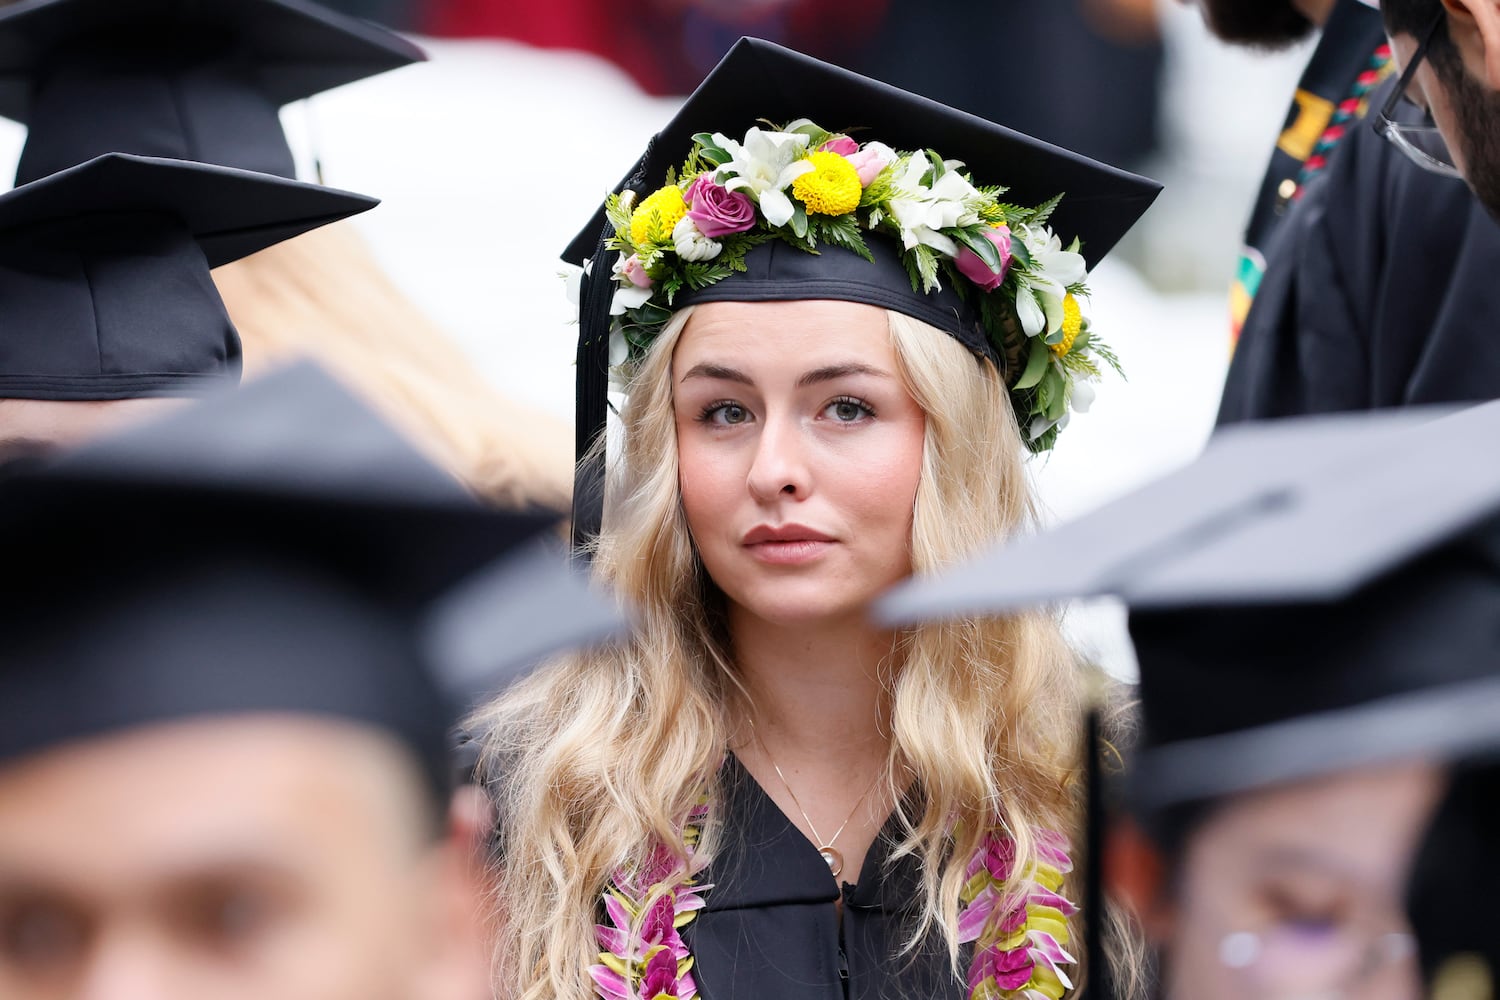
(199, 80)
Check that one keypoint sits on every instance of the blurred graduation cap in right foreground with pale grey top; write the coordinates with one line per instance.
(1309, 596)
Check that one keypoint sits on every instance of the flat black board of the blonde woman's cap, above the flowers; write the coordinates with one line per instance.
(760, 82)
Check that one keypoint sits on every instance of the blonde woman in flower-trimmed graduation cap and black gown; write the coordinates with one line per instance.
(763, 794)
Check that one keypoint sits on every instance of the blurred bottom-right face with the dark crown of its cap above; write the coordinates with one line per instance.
(1292, 758)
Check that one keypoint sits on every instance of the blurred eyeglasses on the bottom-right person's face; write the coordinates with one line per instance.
(1291, 963)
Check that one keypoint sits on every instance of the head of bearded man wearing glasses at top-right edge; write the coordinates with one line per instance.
(1451, 53)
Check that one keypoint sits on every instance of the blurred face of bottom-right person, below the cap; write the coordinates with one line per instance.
(1288, 891)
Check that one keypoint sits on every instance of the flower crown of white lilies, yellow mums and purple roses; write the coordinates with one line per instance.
(812, 188)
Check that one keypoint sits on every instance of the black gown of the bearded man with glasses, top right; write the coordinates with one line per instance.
(1379, 292)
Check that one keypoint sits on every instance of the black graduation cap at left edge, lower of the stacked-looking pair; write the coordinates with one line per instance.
(104, 272)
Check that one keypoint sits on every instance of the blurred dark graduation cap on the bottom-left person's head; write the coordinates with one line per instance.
(278, 549)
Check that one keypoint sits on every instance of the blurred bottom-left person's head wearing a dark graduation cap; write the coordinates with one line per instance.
(226, 762)
